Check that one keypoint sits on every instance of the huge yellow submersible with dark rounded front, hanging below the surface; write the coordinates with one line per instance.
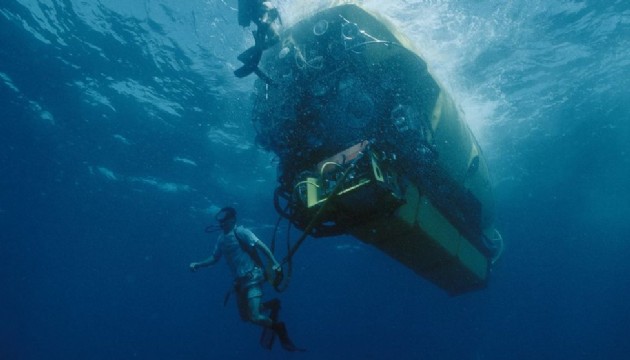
(347, 72)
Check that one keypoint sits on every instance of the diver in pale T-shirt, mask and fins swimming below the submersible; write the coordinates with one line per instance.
(239, 245)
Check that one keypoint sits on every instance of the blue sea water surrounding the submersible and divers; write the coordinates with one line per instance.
(122, 129)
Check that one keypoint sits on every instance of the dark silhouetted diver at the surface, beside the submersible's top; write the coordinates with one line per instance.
(266, 17)
